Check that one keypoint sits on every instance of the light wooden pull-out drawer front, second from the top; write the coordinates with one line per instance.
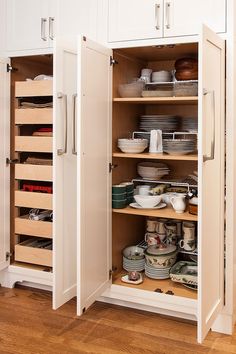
(33, 116)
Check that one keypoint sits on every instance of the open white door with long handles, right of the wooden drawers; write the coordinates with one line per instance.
(64, 171)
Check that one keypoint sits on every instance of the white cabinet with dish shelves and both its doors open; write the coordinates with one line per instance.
(103, 233)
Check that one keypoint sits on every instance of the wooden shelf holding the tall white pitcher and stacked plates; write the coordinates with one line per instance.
(156, 156)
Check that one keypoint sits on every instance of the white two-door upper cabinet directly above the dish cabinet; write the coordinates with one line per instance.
(146, 19)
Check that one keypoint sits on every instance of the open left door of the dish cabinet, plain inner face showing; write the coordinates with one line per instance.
(94, 210)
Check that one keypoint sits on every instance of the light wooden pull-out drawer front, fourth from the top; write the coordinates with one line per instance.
(33, 172)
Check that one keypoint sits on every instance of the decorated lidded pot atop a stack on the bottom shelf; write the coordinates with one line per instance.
(161, 256)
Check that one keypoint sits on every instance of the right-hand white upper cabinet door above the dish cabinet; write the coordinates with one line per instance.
(185, 17)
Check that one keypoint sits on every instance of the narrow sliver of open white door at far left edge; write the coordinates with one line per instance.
(4, 169)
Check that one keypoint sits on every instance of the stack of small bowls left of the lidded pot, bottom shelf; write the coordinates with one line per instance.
(133, 259)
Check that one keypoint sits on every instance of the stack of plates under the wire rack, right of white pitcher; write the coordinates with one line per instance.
(179, 146)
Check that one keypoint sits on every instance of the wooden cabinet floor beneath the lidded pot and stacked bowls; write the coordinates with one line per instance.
(152, 285)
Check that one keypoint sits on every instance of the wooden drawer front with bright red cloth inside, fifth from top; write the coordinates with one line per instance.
(33, 200)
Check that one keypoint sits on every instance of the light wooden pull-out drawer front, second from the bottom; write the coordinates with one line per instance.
(28, 227)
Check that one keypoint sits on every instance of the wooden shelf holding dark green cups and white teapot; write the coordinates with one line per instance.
(167, 213)
